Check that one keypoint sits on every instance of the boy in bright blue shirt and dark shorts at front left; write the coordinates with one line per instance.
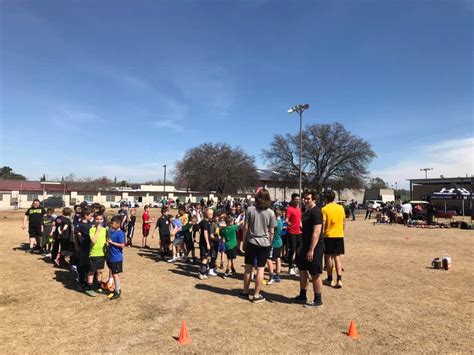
(115, 245)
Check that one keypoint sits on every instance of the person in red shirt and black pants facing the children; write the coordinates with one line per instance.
(293, 236)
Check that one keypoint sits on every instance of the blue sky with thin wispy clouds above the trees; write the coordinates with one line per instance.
(119, 88)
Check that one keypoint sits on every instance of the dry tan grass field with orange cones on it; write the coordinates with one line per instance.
(399, 303)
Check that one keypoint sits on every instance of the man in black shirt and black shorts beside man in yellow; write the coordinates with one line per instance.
(310, 258)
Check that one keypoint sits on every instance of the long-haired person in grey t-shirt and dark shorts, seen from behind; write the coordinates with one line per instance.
(258, 229)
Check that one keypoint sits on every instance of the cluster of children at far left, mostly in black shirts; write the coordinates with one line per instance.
(85, 237)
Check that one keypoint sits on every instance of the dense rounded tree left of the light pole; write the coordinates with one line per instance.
(216, 167)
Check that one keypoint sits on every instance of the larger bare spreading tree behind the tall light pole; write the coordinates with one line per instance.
(331, 157)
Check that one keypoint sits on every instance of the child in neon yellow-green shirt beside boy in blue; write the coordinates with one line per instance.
(98, 238)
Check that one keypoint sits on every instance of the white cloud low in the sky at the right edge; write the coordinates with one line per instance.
(450, 158)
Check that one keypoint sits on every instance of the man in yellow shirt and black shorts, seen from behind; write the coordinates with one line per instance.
(333, 231)
